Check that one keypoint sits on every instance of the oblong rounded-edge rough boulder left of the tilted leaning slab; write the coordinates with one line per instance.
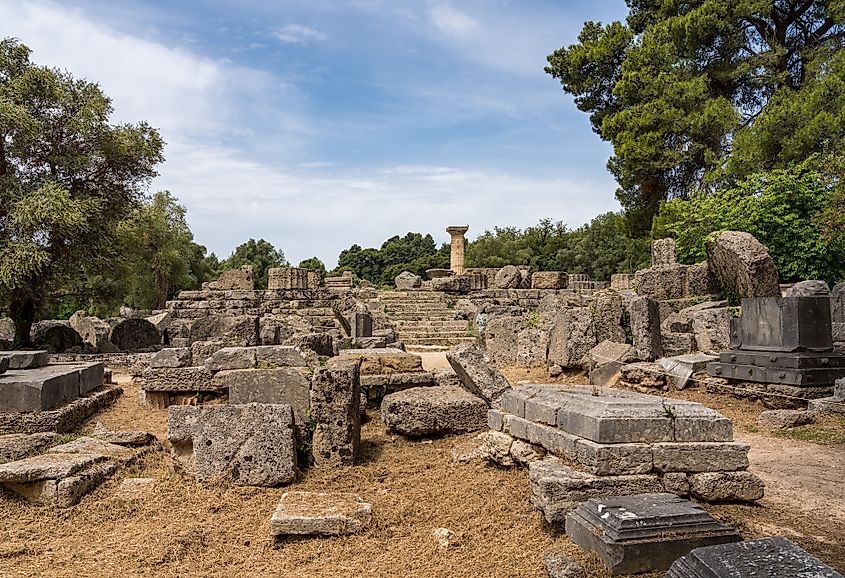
(433, 410)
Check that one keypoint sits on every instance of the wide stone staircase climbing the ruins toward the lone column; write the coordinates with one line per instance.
(423, 320)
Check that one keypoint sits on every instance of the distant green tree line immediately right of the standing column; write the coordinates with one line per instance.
(598, 249)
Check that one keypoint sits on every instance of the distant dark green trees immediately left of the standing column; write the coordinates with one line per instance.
(414, 252)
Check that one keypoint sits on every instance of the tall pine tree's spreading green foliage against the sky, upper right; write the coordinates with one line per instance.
(696, 94)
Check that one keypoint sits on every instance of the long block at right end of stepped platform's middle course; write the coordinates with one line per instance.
(700, 456)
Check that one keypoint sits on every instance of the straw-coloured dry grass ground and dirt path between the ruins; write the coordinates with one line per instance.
(181, 529)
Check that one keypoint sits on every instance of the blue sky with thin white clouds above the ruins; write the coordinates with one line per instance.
(321, 123)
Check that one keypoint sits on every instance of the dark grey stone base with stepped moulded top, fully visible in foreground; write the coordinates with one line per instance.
(644, 533)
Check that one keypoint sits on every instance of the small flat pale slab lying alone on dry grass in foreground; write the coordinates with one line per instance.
(320, 513)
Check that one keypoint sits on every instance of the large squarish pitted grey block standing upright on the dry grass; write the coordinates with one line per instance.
(251, 444)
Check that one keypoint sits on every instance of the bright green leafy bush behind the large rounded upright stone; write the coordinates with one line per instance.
(791, 211)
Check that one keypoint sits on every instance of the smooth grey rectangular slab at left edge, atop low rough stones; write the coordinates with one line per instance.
(44, 388)
